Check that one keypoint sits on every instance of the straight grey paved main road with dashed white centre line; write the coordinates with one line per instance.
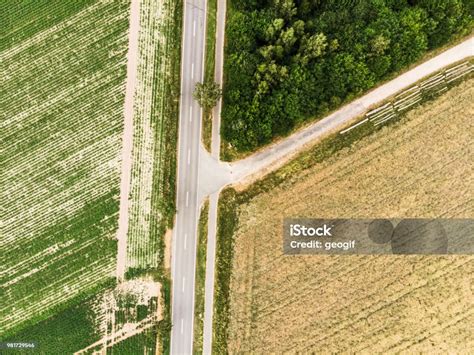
(184, 238)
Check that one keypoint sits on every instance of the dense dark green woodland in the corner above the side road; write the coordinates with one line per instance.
(289, 60)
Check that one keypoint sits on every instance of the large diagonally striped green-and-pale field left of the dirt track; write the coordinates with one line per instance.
(62, 99)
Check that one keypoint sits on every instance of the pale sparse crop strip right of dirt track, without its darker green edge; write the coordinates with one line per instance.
(145, 119)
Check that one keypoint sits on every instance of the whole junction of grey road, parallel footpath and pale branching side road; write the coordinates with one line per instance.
(202, 174)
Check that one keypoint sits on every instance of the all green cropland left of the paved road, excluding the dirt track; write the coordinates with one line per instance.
(62, 90)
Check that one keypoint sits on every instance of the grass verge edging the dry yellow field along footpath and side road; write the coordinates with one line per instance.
(231, 212)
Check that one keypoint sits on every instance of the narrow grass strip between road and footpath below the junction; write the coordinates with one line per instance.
(200, 281)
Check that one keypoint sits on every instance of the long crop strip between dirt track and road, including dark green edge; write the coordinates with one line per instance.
(155, 120)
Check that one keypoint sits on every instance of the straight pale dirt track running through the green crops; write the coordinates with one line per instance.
(127, 140)
